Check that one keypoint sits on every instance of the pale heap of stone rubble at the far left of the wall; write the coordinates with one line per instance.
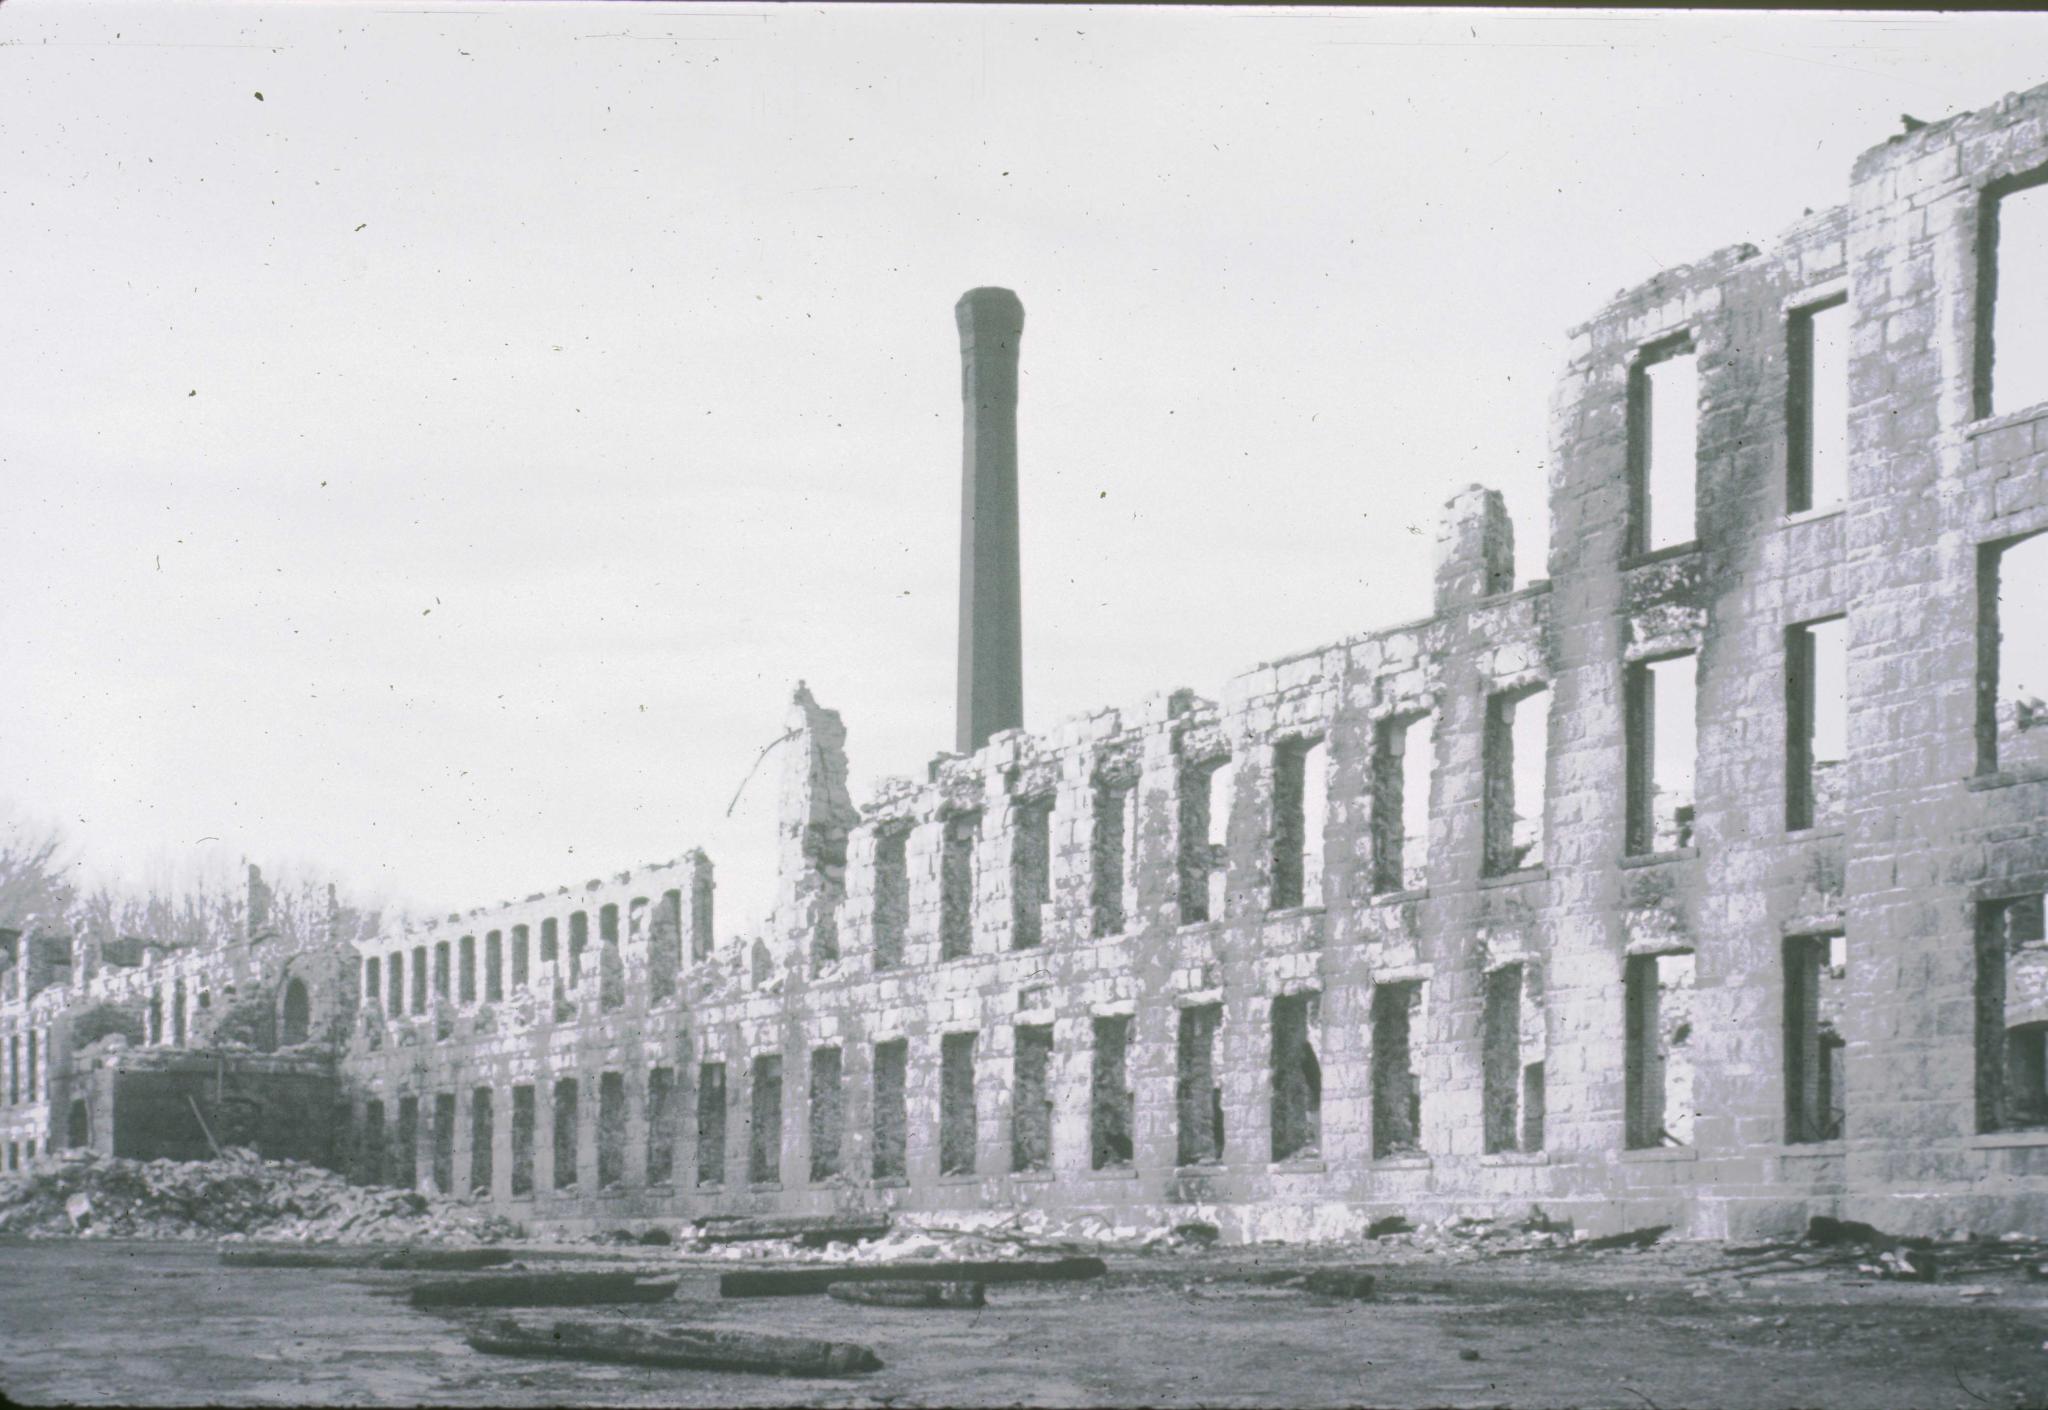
(241, 1196)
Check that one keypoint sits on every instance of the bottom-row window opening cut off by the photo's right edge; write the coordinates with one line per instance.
(2012, 1015)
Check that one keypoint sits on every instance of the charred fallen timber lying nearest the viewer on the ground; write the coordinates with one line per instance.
(685, 1347)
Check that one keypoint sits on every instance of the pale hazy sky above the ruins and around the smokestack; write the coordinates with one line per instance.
(443, 468)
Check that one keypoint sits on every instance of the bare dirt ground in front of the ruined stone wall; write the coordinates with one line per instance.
(101, 1323)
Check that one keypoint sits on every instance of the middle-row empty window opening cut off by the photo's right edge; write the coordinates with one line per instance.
(2012, 673)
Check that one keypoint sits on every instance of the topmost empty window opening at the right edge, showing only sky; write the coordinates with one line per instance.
(2012, 319)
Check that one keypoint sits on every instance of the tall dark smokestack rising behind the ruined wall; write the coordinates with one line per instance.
(992, 612)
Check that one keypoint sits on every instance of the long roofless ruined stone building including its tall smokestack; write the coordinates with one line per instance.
(1699, 882)
